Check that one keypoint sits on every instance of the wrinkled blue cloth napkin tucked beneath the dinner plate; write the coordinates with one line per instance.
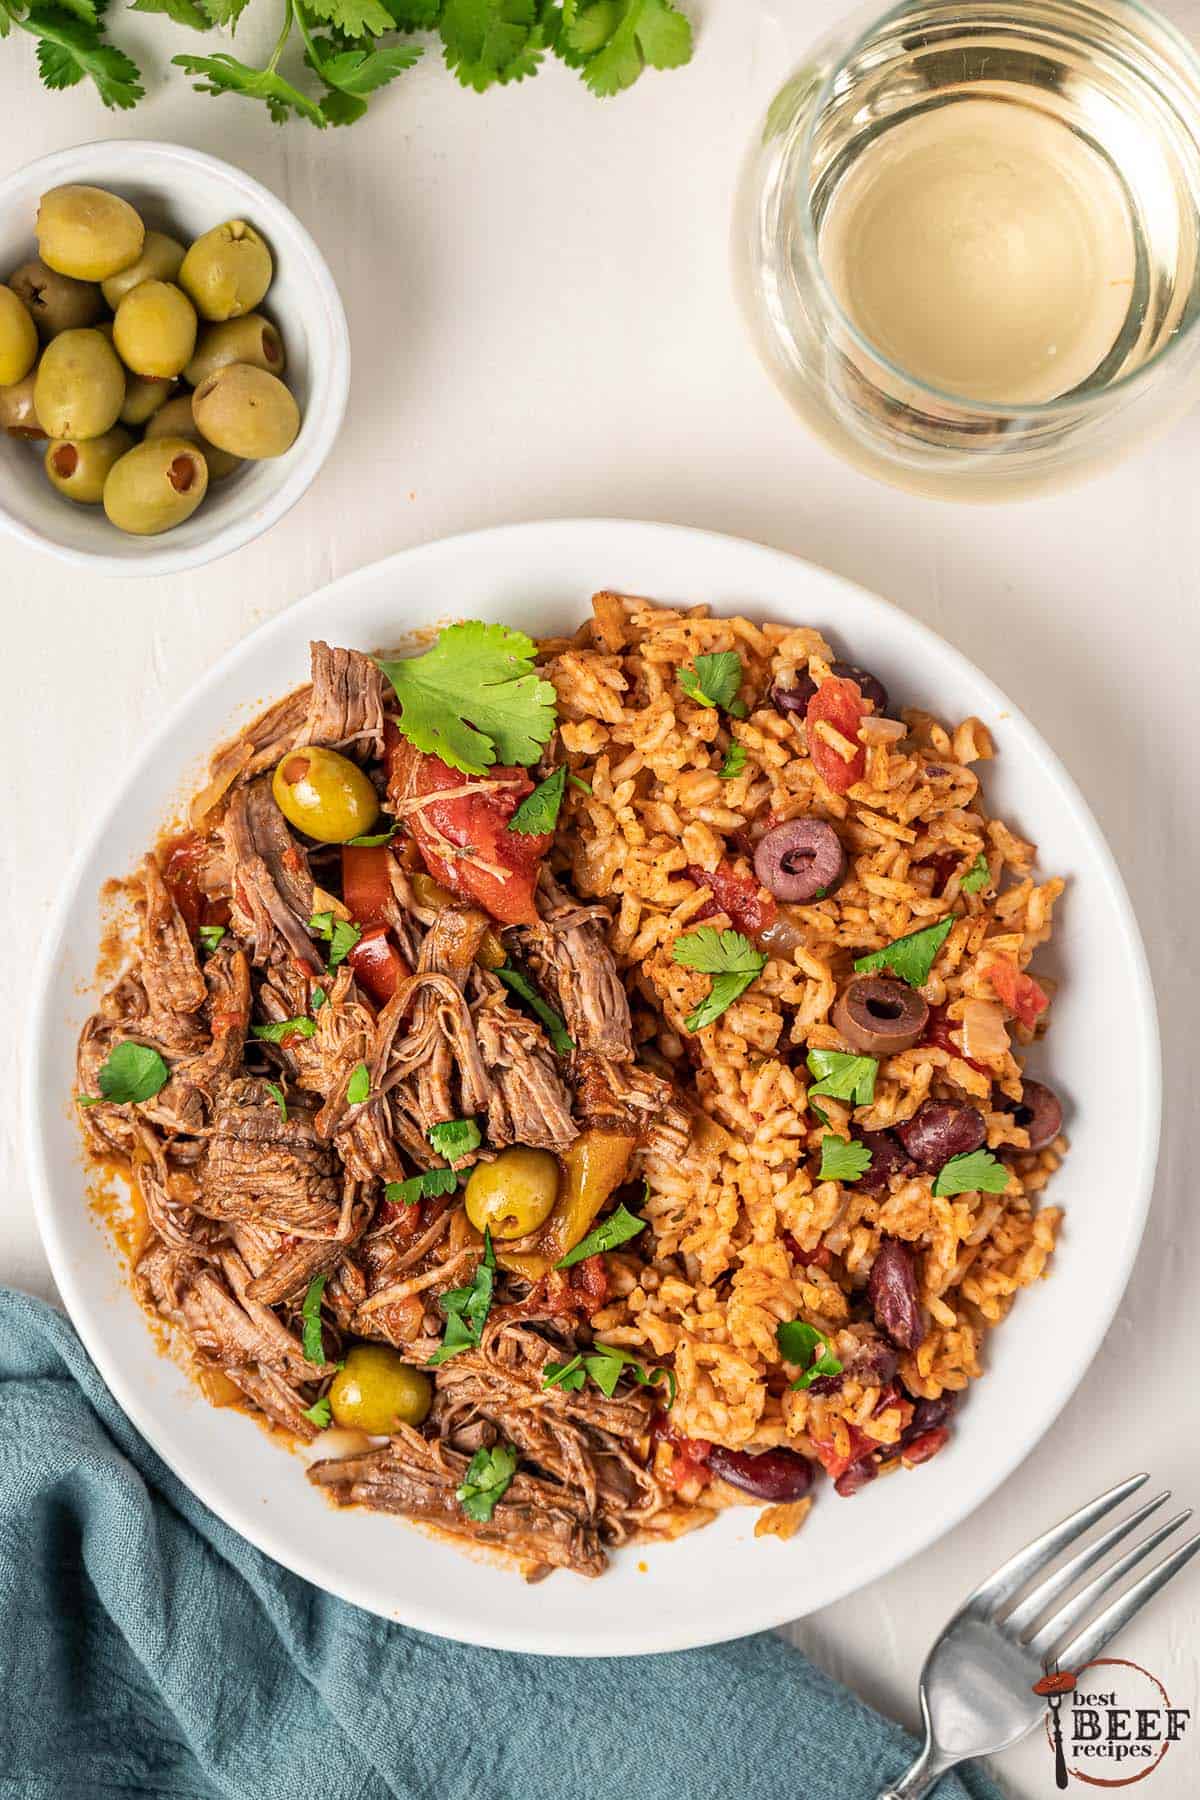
(148, 1651)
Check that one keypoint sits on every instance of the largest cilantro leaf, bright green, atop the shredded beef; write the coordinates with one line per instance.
(474, 699)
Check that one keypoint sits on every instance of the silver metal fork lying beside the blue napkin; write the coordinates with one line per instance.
(978, 1680)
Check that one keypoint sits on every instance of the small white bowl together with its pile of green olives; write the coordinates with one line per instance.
(174, 357)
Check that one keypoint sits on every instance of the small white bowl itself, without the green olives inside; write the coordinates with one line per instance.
(186, 193)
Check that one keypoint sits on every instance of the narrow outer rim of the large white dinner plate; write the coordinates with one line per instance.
(654, 1639)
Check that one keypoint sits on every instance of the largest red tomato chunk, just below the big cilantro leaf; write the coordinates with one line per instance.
(501, 868)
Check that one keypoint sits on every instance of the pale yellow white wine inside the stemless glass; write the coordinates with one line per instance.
(985, 249)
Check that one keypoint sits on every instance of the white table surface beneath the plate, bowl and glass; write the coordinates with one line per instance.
(542, 325)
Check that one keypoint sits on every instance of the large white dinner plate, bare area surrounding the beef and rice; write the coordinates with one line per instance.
(721, 1583)
